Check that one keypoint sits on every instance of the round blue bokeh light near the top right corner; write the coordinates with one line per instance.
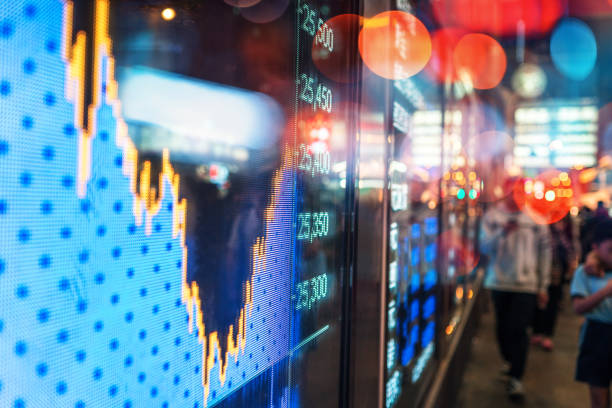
(573, 49)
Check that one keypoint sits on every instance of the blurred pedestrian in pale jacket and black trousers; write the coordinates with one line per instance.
(518, 274)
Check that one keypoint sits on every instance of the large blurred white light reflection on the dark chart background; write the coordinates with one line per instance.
(198, 112)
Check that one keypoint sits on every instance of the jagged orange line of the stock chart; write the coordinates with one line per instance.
(147, 202)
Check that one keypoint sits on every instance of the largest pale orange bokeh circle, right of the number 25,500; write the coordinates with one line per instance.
(394, 44)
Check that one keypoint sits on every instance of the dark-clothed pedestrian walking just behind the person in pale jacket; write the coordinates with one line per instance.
(563, 261)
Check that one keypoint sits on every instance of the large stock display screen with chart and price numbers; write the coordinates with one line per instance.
(171, 209)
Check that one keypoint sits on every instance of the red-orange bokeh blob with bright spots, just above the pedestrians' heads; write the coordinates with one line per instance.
(546, 198)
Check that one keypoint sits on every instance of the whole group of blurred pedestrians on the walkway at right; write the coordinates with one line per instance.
(529, 265)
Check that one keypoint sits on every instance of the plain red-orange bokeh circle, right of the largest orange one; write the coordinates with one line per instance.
(480, 60)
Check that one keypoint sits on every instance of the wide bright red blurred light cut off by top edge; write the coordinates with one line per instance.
(502, 17)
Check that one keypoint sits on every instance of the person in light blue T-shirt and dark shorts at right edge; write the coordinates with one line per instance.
(592, 297)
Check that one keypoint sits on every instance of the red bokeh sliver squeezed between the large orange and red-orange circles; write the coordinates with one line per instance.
(443, 42)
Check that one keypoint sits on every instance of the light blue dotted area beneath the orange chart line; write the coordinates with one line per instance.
(90, 306)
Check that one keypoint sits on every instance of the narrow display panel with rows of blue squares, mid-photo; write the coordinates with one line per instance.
(412, 271)
